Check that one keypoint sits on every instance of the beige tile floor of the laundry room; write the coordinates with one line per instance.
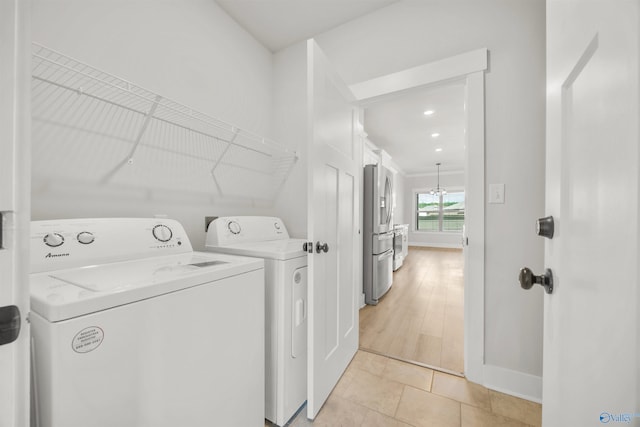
(376, 391)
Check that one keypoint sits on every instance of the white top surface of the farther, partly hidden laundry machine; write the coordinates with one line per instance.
(272, 249)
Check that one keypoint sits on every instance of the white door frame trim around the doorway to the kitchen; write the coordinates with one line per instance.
(471, 67)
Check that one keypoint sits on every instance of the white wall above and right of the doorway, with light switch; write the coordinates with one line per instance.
(415, 32)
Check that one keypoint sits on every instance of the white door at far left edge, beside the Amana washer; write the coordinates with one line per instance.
(15, 119)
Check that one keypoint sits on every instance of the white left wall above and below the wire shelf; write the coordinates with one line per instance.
(188, 51)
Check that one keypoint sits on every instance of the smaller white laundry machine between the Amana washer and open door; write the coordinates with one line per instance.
(285, 304)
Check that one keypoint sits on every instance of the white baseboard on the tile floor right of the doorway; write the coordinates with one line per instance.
(518, 384)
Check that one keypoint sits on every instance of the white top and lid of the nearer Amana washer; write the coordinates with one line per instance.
(65, 294)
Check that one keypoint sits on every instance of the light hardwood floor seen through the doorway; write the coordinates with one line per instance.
(421, 317)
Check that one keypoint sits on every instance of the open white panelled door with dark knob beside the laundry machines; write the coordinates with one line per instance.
(334, 180)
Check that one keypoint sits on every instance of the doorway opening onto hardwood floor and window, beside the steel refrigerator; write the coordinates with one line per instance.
(420, 319)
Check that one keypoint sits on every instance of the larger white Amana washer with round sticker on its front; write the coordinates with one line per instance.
(131, 327)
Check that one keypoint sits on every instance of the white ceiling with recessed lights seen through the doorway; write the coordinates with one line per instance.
(400, 127)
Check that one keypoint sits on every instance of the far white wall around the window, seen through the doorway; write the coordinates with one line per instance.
(450, 181)
